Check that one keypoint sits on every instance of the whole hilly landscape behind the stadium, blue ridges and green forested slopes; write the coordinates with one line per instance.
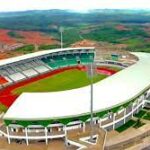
(130, 28)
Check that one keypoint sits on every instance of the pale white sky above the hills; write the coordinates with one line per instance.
(78, 5)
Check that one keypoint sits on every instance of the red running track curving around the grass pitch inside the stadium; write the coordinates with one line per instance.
(7, 98)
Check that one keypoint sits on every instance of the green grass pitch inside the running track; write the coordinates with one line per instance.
(66, 80)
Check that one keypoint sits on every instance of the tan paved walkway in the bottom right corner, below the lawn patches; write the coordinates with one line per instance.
(128, 138)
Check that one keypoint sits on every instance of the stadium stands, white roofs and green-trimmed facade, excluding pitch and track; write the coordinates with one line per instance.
(44, 116)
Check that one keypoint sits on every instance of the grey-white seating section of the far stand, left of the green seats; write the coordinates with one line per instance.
(20, 71)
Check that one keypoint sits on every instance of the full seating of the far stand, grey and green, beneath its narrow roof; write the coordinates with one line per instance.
(28, 68)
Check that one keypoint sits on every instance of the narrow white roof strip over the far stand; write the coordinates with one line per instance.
(37, 54)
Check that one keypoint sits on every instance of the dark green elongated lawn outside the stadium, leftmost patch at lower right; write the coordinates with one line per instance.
(126, 126)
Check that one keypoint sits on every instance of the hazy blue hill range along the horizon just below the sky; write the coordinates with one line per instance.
(42, 20)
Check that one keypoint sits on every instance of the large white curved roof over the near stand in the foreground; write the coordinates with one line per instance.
(109, 92)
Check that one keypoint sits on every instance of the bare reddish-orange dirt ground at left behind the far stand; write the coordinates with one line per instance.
(29, 37)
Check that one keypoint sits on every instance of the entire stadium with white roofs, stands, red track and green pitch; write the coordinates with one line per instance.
(42, 111)
